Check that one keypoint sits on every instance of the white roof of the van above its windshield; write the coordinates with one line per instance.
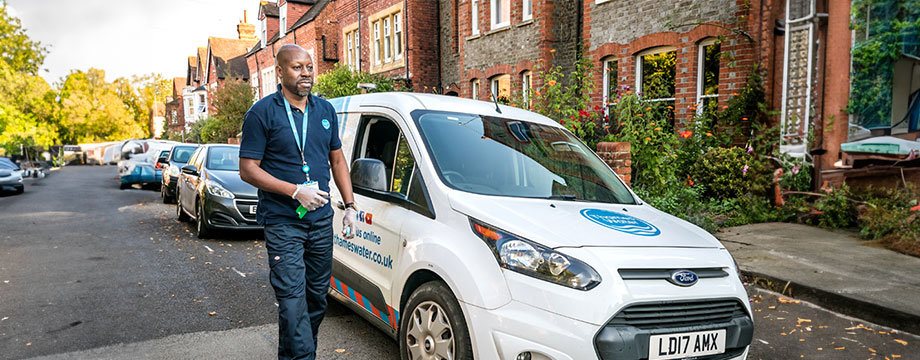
(407, 102)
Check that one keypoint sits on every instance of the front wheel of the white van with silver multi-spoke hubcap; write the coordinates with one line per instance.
(433, 326)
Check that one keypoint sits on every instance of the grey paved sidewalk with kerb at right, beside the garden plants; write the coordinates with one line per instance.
(833, 269)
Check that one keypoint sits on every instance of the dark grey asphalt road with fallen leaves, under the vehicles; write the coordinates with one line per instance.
(84, 265)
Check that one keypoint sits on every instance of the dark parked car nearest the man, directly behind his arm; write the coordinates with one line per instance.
(210, 191)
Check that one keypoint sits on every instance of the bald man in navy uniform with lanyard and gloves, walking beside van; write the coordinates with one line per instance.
(290, 142)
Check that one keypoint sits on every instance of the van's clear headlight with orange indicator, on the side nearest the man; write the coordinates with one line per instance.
(529, 258)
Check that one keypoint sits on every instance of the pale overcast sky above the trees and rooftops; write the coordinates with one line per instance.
(127, 37)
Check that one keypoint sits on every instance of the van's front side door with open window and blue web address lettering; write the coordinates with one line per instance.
(363, 266)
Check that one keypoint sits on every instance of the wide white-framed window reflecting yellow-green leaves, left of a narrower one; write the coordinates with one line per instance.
(655, 76)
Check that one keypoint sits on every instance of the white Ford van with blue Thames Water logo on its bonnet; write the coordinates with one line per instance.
(491, 232)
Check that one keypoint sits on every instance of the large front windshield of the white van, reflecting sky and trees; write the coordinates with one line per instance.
(507, 157)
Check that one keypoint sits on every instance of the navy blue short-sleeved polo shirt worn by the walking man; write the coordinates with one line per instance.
(267, 136)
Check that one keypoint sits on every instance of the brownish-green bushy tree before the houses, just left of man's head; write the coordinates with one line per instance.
(231, 101)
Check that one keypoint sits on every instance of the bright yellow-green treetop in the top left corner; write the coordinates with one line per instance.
(17, 50)
